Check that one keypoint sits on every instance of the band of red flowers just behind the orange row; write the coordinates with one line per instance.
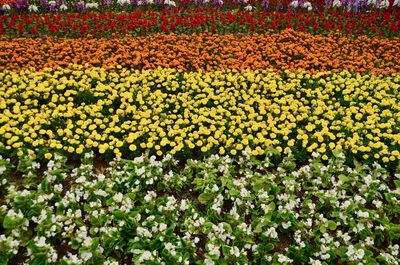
(189, 21)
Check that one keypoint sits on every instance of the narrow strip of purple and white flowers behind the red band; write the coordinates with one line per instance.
(247, 5)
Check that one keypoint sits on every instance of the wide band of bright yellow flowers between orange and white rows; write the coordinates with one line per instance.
(166, 110)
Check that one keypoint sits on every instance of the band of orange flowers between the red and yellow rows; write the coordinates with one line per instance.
(285, 50)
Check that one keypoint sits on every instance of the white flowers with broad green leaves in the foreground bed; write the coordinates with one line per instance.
(214, 211)
